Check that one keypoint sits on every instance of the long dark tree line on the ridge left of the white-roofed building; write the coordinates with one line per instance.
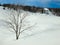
(26, 8)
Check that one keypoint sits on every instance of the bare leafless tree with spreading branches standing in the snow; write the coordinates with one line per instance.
(16, 23)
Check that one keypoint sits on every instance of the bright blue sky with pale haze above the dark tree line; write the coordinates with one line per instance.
(38, 3)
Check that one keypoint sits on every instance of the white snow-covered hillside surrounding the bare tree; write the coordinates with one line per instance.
(45, 32)
